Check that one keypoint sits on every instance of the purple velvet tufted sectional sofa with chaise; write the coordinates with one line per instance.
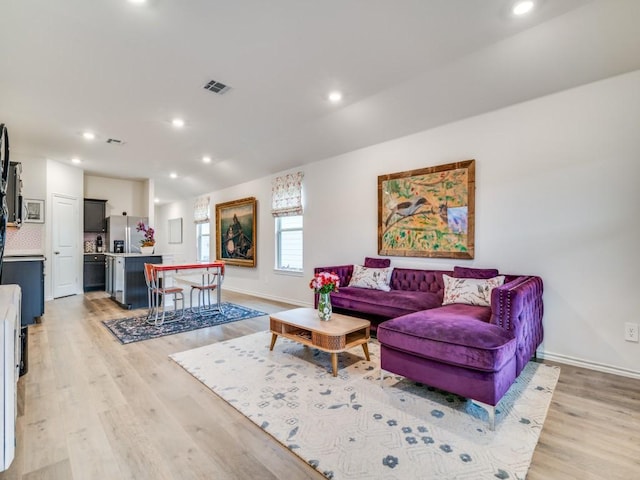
(473, 351)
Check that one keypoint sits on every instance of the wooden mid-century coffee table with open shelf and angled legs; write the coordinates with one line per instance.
(302, 325)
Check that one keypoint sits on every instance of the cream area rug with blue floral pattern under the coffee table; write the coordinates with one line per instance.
(353, 427)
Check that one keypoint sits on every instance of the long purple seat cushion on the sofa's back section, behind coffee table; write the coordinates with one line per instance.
(384, 304)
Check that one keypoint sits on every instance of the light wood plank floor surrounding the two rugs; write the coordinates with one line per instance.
(91, 408)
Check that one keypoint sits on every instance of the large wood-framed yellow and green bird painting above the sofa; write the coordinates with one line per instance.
(428, 212)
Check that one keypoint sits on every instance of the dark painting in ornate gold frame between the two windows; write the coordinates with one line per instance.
(236, 232)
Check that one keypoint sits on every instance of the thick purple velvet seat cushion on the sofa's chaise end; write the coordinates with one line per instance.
(455, 334)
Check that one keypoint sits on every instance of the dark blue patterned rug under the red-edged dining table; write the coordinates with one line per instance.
(136, 329)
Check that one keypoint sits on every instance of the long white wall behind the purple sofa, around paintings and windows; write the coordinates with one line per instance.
(556, 196)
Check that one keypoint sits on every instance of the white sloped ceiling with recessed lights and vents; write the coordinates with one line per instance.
(124, 71)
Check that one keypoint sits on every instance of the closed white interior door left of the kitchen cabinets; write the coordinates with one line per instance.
(65, 245)
